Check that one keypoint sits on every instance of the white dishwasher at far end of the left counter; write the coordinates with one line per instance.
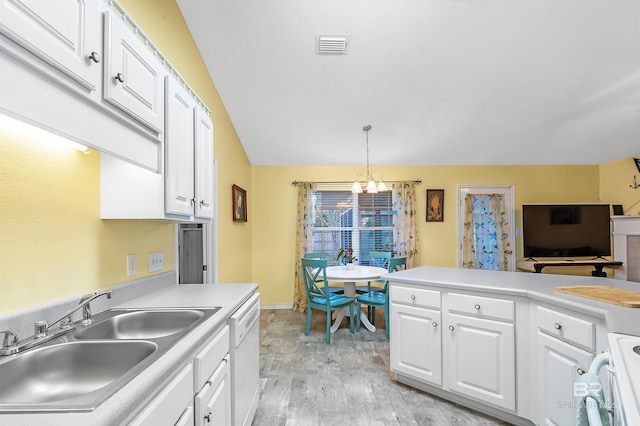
(244, 326)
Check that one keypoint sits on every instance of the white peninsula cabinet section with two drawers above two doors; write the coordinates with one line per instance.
(461, 343)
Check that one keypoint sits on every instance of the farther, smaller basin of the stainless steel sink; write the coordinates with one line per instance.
(141, 324)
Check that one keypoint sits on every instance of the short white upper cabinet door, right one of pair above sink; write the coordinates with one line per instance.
(133, 78)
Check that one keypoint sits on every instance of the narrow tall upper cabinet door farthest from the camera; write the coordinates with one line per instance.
(204, 165)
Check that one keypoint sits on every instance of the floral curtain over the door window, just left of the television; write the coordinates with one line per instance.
(486, 233)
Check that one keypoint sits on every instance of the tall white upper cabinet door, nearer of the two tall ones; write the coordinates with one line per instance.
(179, 191)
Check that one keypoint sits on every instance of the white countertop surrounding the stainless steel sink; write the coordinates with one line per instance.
(132, 397)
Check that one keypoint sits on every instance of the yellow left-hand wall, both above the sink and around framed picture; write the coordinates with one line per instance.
(52, 242)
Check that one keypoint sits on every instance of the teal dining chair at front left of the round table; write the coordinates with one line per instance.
(318, 295)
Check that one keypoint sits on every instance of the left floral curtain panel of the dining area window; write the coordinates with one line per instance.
(304, 241)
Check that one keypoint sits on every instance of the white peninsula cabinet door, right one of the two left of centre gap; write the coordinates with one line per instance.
(481, 359)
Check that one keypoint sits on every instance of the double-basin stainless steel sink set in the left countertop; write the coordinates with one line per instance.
(78, 371)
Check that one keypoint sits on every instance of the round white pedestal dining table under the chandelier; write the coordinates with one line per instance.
(358, 273)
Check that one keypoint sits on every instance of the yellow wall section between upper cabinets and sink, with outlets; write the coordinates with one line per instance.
(53, 243)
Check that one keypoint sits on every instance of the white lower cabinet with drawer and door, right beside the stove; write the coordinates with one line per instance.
(559, 362)
